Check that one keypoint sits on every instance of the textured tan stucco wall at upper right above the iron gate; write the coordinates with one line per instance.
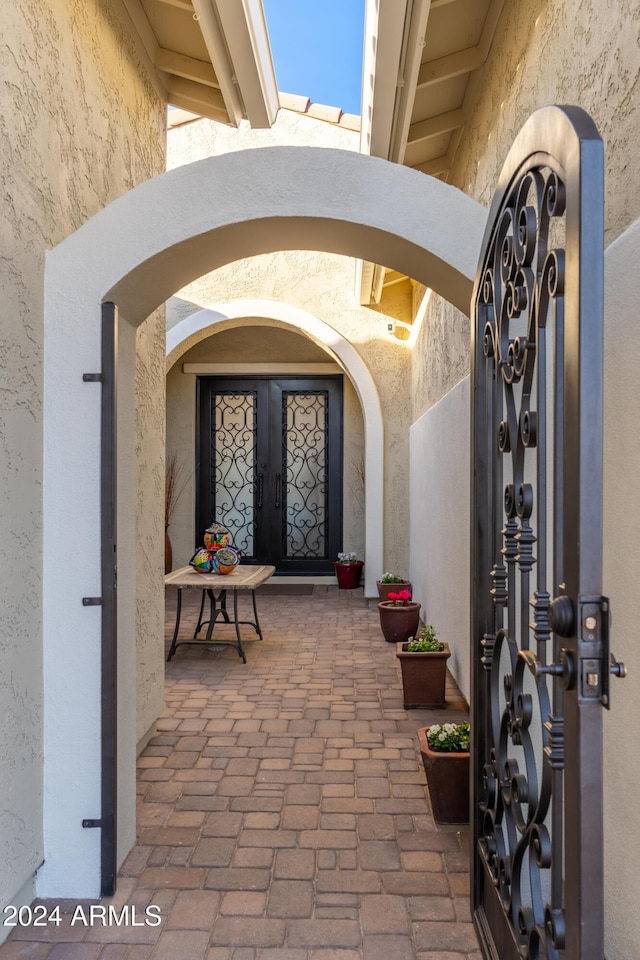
(580, 52)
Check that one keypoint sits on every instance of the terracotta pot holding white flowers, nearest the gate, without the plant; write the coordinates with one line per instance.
(447, 780)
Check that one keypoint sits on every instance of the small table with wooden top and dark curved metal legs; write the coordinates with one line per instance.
(242, 578)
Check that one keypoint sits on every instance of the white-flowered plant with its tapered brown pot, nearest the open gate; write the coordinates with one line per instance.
(445, 755)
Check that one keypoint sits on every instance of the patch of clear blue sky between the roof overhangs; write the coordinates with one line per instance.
(317, 49)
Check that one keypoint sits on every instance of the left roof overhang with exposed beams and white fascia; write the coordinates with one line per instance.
(212, 57)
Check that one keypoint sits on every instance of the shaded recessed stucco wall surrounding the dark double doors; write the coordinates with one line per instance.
(267, 344)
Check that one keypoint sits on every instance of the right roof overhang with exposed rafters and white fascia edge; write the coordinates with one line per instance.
(422, 65)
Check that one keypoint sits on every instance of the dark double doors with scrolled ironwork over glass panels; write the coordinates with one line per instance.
(270, 468)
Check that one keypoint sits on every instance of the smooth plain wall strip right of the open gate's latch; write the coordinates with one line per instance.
(621, 577)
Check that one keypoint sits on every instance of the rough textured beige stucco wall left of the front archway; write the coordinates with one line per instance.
(80, 123)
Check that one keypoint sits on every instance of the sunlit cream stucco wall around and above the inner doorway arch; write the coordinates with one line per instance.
(324, 285)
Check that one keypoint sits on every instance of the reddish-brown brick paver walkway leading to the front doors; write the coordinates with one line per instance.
(283, 812)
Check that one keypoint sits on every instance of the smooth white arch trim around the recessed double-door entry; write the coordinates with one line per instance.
(347, 356)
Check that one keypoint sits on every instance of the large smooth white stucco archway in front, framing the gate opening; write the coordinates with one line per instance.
(137, 252)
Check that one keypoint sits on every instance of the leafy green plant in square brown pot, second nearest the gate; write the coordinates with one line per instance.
(423, 663)
